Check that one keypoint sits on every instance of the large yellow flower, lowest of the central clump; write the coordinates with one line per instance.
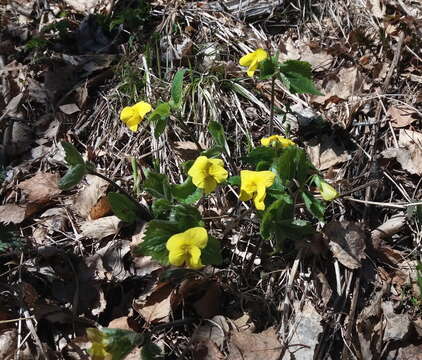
(186, 247)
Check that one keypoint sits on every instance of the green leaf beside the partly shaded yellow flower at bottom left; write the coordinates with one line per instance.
(121, 342)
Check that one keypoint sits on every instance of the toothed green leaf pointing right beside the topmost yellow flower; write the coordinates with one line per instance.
(297, 77)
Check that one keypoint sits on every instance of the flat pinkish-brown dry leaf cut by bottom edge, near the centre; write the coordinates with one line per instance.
(264, 345)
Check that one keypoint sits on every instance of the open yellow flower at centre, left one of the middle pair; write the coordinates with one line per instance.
(207, 173)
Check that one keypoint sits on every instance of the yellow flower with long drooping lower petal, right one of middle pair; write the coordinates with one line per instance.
(253, 184)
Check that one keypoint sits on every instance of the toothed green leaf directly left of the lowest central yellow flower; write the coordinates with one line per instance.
(155, 239)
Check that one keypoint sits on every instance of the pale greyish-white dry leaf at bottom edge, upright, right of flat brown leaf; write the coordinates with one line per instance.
(307, 328)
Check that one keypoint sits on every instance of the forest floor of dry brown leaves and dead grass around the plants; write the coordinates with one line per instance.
(352, 290)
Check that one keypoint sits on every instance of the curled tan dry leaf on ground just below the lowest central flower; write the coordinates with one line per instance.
(157, 306)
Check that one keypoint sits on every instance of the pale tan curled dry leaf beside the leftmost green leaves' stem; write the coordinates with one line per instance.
(90, 194)
